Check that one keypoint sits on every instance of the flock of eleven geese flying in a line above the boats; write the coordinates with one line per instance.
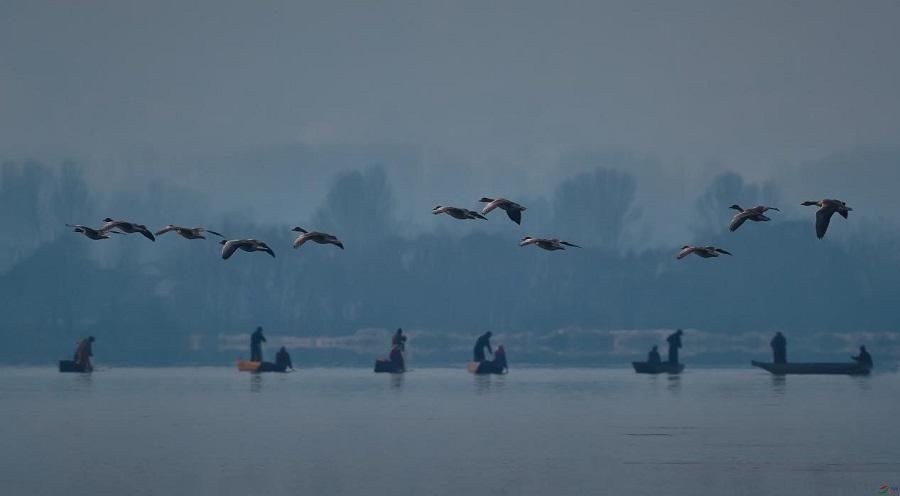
(827, 209)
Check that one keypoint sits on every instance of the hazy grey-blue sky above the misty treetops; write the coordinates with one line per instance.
(513, 85)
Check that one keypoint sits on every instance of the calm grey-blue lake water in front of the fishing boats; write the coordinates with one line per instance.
(193, 431)
